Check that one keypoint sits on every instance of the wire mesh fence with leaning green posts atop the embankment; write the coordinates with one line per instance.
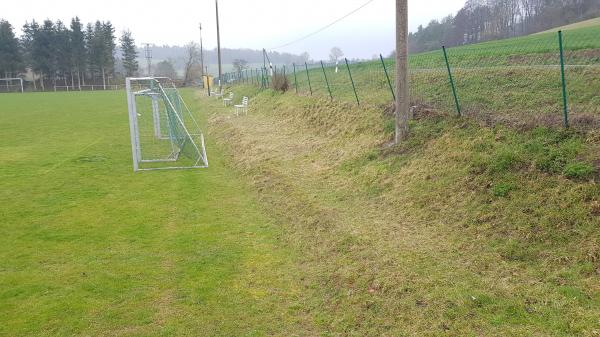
(519, 78)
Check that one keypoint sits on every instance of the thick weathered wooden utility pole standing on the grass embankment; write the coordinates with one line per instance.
(402, 93)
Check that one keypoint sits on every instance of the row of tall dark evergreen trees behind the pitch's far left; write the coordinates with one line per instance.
(70, 55)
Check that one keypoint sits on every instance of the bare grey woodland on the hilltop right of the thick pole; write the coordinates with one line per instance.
(484, 20)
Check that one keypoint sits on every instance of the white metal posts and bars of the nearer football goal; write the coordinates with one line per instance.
(156, 94)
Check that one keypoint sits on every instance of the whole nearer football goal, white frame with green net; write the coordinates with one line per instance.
(164, 133)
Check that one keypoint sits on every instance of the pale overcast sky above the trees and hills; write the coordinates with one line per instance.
(244, 24)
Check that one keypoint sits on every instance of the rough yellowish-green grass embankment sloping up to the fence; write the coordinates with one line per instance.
(464, 230)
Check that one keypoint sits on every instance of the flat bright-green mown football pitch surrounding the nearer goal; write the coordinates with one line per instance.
(89, 248)
